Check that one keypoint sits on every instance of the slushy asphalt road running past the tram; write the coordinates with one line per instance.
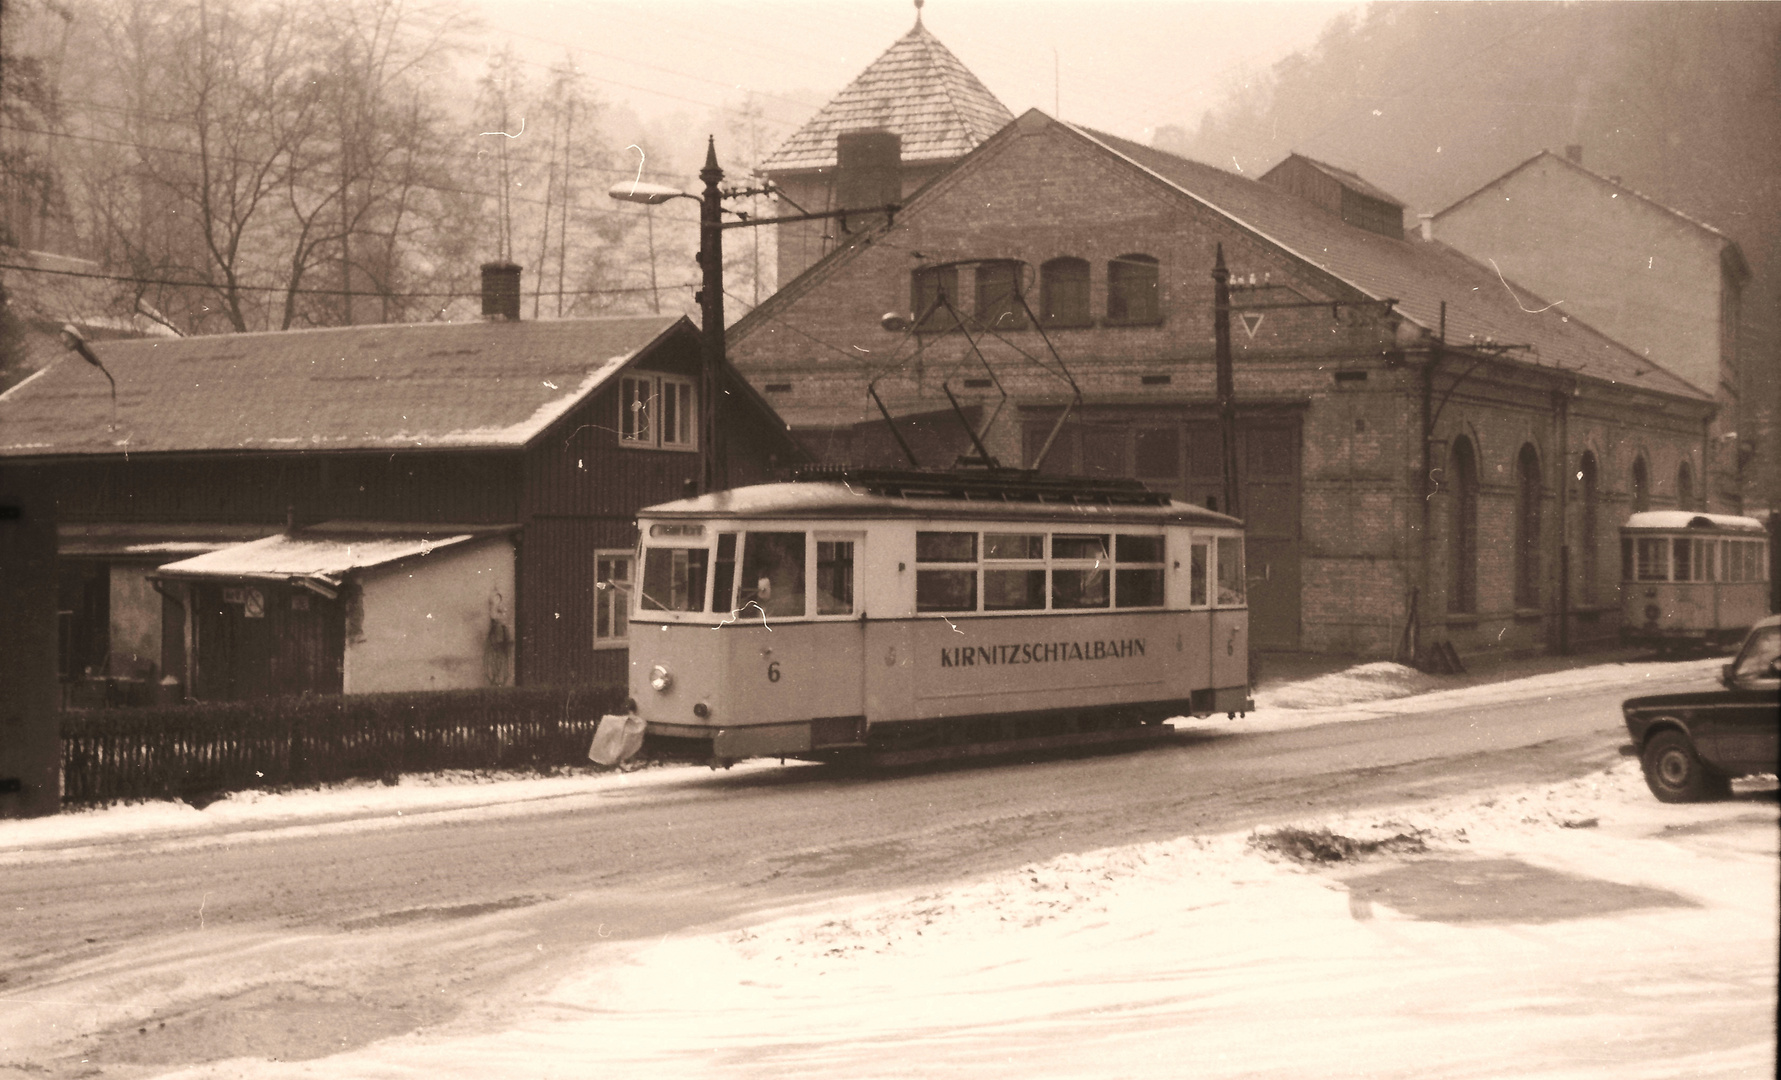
(133, 958)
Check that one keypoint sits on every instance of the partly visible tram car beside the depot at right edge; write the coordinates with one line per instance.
(1693, 580)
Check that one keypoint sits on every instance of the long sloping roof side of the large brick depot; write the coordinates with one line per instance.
(1420, 275)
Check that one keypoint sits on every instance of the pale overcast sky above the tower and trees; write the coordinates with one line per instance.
(1125, 67)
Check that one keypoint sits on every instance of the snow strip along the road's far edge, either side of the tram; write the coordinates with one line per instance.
(1356, 694)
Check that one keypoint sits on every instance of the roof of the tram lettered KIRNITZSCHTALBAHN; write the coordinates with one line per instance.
(856, 500)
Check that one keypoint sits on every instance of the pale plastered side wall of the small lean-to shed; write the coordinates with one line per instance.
(425, 621)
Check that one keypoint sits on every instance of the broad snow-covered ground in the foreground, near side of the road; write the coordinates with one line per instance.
(1654, 954)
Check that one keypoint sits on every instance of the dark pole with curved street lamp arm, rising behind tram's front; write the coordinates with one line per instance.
(712, 225)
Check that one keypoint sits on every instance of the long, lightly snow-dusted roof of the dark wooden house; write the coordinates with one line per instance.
(354, 388)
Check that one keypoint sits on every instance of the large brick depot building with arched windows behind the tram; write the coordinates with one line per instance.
(1424, 445)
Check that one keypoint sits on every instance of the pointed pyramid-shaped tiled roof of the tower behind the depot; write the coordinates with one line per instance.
(918, 90)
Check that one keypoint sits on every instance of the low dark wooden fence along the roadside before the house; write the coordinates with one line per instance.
(200, 751)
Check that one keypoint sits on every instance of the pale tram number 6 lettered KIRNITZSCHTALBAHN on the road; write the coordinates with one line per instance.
(916, 616)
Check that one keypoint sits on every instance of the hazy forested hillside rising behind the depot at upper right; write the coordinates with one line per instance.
(1433, 101)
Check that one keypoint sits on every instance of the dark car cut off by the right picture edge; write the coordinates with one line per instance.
(1693, 746)
